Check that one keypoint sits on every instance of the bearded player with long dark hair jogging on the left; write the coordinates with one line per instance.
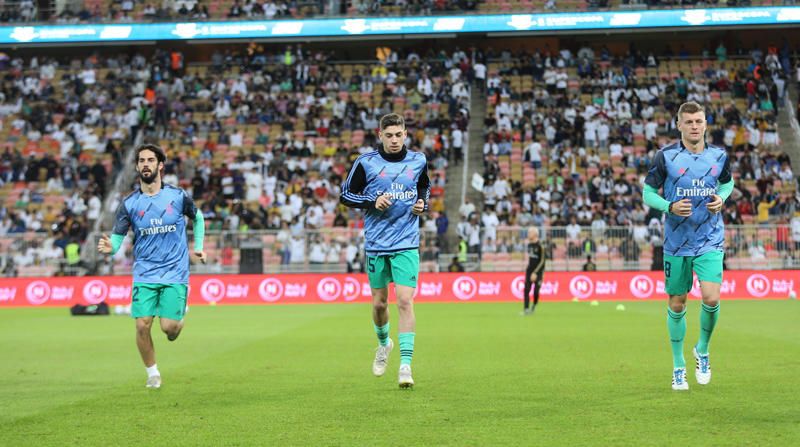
(156, 213)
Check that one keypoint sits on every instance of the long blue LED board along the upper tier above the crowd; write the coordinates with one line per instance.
(406, 26)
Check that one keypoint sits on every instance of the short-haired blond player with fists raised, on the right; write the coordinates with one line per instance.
(696, 181)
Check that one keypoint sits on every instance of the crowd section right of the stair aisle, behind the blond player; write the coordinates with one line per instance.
(569, 140)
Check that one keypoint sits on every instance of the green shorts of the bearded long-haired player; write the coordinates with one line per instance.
(163, 300)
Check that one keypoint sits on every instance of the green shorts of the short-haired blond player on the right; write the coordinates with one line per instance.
(678, 271)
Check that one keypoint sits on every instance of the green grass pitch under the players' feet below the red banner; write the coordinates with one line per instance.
(301, 375)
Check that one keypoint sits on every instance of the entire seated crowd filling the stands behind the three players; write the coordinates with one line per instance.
(262, 140)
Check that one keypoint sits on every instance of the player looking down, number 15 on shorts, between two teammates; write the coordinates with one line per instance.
(391, 184)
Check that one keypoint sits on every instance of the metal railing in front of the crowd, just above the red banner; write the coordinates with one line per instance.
(612, 248)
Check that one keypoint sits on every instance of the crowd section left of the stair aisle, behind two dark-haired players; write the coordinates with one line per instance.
(261, 140)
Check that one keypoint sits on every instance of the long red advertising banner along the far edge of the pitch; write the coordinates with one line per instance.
(433, 287)
